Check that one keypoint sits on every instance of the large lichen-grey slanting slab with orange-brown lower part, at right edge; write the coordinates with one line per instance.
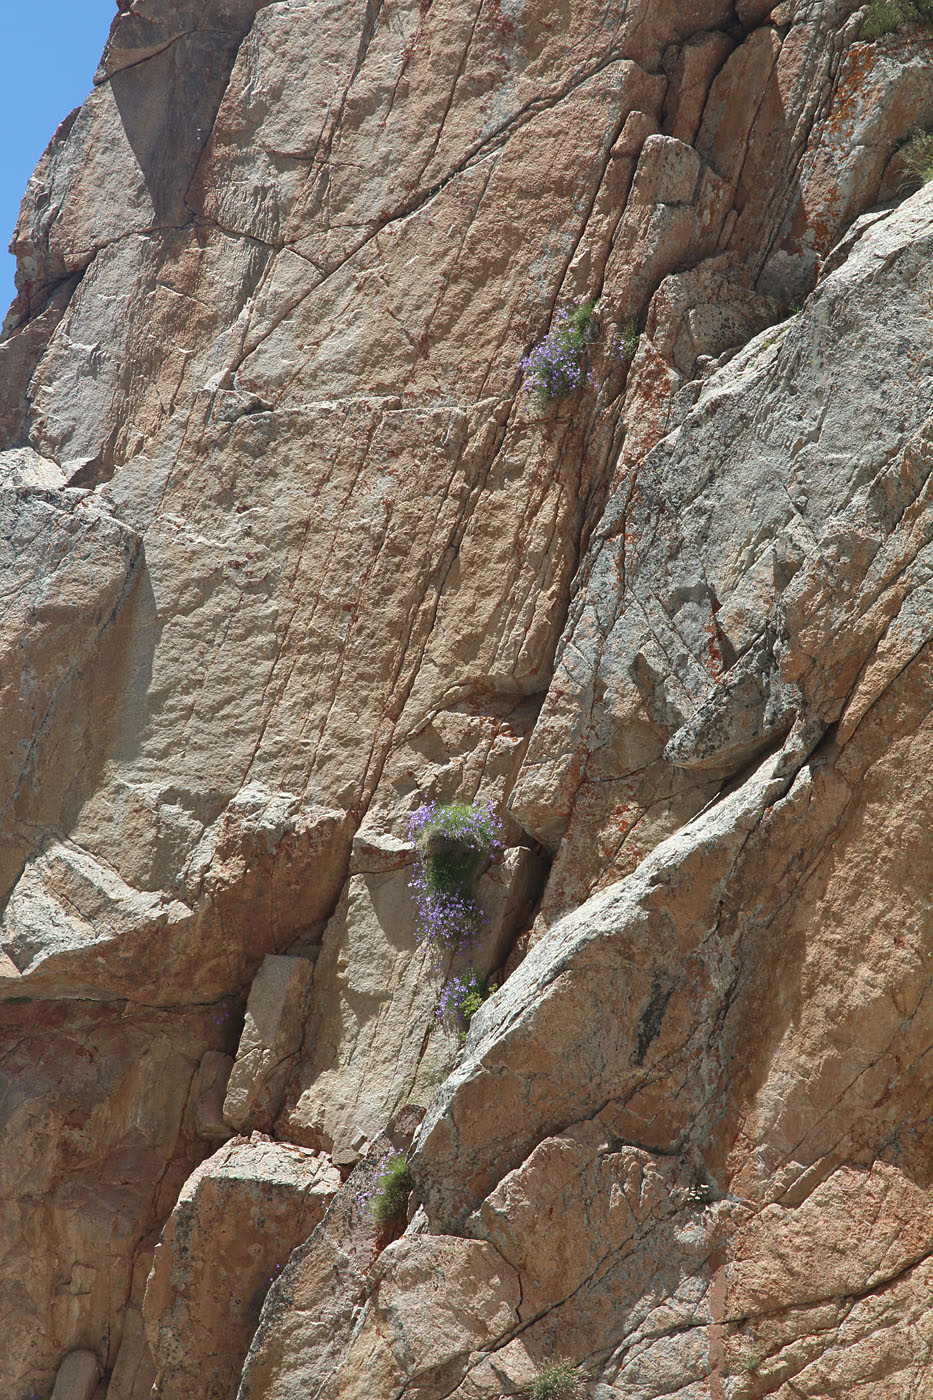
(745, 572)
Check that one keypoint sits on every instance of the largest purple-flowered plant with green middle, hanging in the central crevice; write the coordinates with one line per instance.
(453, 842)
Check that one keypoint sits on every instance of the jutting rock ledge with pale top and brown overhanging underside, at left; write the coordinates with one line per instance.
(265, 869)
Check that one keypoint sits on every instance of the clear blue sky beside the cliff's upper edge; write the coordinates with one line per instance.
(50, 54)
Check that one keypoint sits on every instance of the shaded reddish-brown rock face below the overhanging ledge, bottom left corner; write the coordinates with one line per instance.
(96, 1140)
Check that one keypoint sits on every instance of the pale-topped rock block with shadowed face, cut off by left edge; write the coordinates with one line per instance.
(68, 569)
